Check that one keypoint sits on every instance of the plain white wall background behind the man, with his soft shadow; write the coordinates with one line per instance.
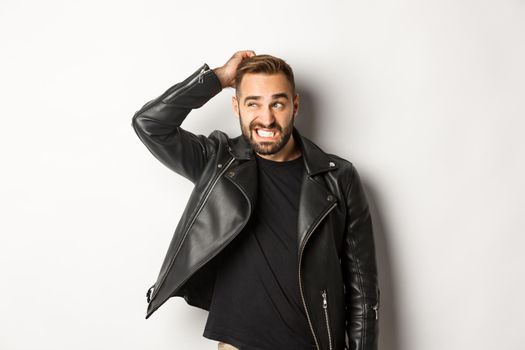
(426, 98)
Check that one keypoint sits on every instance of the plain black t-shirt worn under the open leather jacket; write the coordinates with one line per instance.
(256, 303)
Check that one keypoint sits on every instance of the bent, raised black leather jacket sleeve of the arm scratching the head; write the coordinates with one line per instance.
(157, 124)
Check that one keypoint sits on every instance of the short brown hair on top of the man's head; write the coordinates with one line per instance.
(266, 64)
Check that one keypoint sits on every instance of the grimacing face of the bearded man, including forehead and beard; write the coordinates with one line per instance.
(266, 109)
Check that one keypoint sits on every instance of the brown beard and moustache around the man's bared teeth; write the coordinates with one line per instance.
(267, 147)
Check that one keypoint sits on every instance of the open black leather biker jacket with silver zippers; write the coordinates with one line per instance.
(337, 272)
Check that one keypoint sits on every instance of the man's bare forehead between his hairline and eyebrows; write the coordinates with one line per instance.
(263, 84)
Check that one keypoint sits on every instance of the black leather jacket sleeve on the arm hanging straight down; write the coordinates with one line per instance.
(360, 271)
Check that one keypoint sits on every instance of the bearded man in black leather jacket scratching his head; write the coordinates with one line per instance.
(276, 240)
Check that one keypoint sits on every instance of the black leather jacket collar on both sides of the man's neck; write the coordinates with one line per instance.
(315, 159)
